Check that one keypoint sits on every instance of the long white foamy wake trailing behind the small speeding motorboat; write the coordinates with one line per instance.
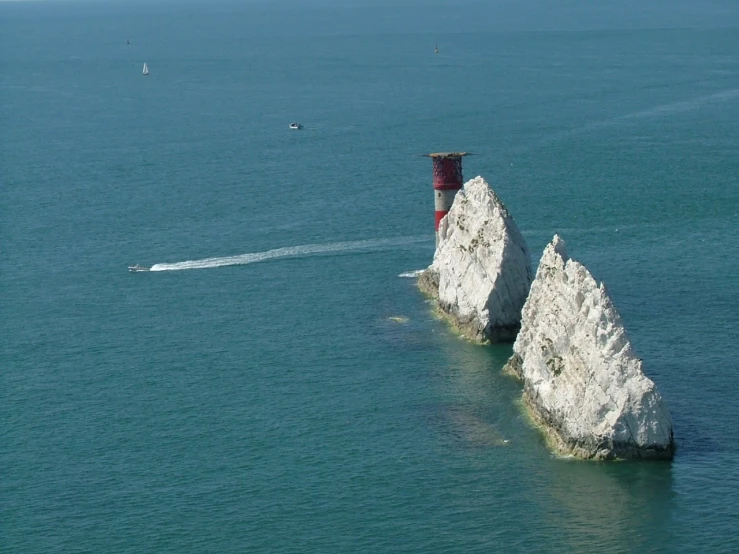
(301, 251)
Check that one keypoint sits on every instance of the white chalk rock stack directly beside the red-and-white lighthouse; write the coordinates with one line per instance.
(481, 271)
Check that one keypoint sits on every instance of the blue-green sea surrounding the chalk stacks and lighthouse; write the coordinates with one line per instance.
(277, 382)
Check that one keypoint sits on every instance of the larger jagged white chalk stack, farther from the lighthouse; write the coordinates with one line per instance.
(582, 381)
